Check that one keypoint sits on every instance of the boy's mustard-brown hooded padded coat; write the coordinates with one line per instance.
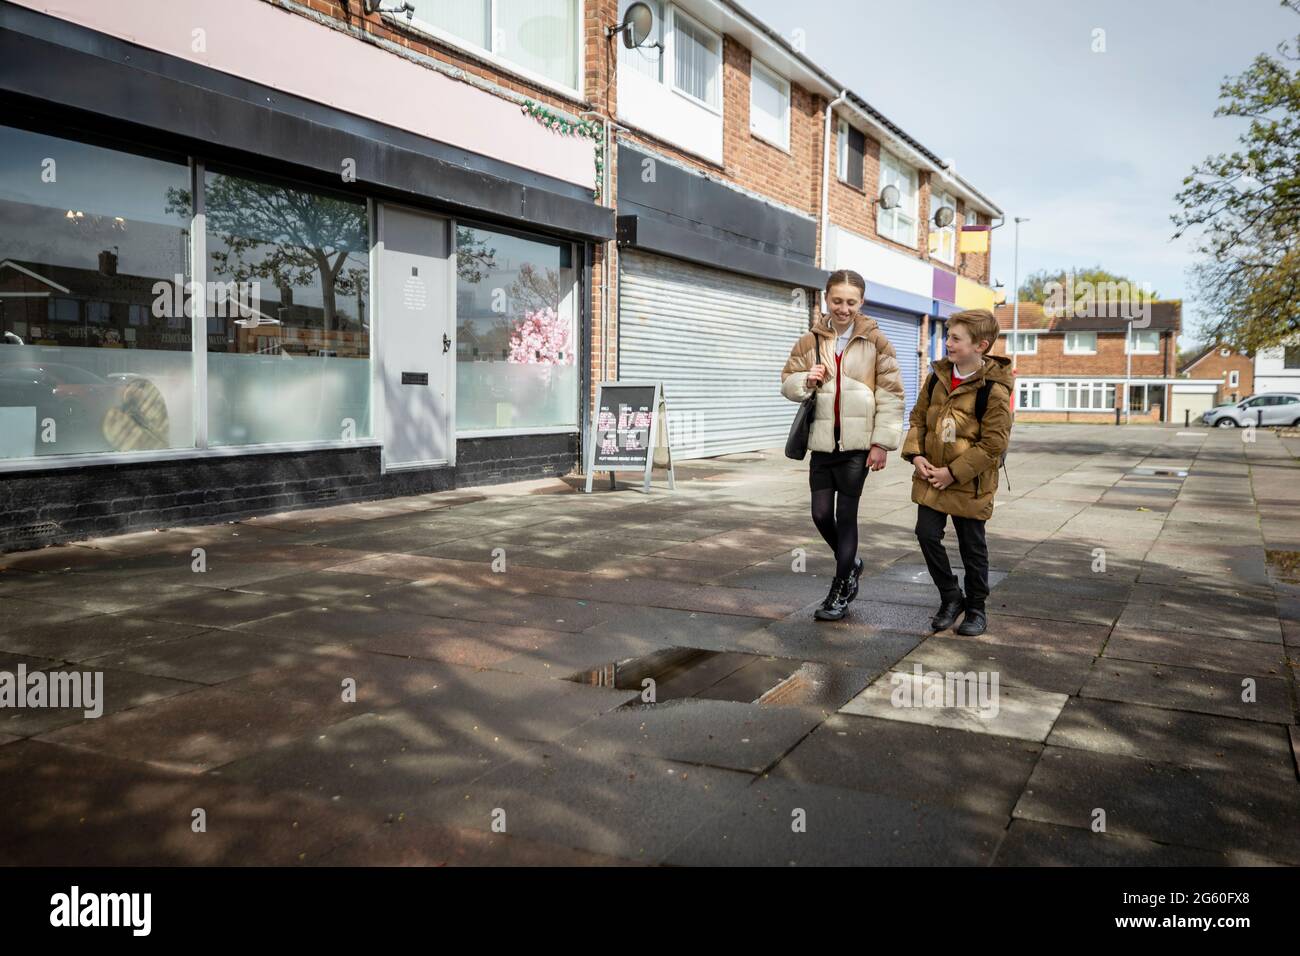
(946, 431)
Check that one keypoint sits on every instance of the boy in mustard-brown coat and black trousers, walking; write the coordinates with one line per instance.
(959, 432)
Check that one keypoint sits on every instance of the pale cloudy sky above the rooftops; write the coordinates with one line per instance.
(1091, 148)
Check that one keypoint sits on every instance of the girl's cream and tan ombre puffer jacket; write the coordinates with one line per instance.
(872, 387)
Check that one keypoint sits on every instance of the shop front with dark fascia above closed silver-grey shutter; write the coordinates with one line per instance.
(714, 289)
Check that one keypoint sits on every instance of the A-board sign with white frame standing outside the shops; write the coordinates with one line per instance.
(630, 427)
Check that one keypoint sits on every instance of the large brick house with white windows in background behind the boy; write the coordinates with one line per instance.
(1074, 367)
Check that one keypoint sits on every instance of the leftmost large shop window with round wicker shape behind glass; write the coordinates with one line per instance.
(94, 357)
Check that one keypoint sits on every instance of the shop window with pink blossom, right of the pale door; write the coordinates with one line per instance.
(515, 332)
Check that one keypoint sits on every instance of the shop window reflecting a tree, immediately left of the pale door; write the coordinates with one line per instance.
(289, 345)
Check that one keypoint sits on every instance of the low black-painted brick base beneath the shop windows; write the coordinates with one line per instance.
(45, 508)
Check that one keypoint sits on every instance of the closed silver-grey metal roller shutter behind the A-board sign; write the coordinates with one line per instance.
(717, 341)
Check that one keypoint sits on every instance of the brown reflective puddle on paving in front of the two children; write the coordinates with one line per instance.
(684, 673)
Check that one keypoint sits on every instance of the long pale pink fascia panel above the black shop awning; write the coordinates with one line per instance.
(259, 42)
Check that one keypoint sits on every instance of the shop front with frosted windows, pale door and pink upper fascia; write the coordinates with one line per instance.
(203, 319)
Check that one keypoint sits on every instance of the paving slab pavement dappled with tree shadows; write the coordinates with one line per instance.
(376, 684)
